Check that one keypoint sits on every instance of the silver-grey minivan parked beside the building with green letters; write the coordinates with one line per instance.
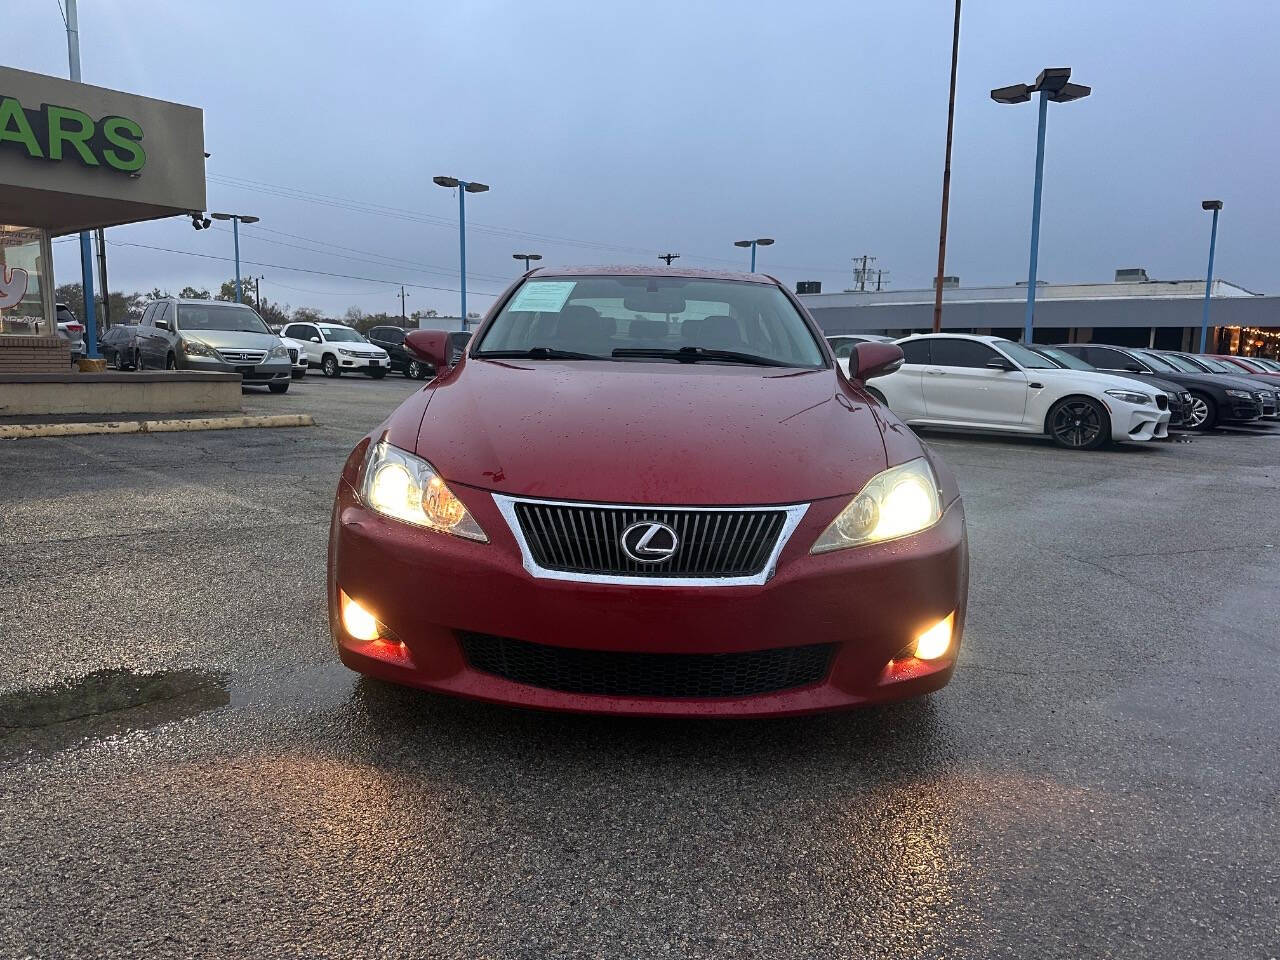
(216, 337)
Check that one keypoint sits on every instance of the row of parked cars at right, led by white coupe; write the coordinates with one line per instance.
(1080, 395)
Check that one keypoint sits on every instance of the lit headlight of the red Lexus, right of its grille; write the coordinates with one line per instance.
(899, 502)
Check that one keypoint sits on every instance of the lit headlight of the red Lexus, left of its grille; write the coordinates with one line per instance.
(408, 488)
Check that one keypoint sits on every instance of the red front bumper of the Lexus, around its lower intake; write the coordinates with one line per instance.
(433, 591)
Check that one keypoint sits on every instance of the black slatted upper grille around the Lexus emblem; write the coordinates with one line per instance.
(710, 543)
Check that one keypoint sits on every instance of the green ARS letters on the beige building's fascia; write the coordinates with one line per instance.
(60, 134)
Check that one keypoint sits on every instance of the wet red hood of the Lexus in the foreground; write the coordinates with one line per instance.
(650, 433)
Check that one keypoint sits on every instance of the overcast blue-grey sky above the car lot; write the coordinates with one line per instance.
(612, 132)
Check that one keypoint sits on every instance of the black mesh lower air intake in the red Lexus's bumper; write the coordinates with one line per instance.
(629, 674)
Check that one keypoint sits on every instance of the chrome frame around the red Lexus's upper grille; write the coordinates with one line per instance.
(790, 515)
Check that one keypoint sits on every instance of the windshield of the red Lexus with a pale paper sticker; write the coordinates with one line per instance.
(660, 317)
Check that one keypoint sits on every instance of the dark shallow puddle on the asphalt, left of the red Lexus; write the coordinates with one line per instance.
(102, 706)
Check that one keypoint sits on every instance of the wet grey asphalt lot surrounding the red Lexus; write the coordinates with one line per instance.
(188, 771)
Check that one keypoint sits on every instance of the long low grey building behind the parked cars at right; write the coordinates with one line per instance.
(1133, 310)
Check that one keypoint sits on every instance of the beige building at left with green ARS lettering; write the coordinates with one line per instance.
(75, 158)
